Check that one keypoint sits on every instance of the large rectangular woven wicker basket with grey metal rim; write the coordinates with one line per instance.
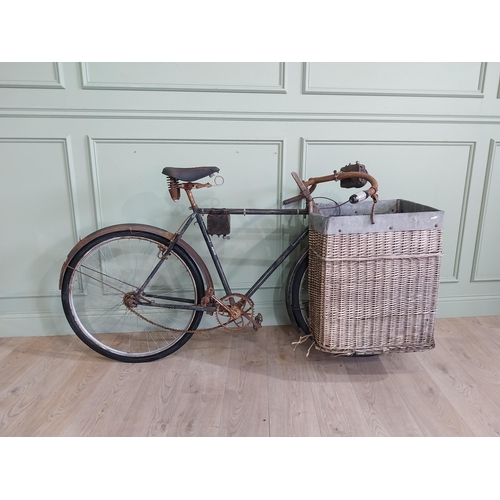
(373, 287)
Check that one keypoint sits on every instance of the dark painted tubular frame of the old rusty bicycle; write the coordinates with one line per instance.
(197, 216)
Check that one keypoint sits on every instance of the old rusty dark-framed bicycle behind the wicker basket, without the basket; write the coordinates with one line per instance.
(137, 293)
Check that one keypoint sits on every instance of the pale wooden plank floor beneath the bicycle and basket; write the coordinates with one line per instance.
(255, 384)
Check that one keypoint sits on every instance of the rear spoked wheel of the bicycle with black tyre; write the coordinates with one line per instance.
(104, 270)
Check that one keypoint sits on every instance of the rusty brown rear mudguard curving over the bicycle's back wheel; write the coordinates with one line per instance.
(134, 228)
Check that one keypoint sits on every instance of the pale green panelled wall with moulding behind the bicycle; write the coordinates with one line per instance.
(82, 146)
